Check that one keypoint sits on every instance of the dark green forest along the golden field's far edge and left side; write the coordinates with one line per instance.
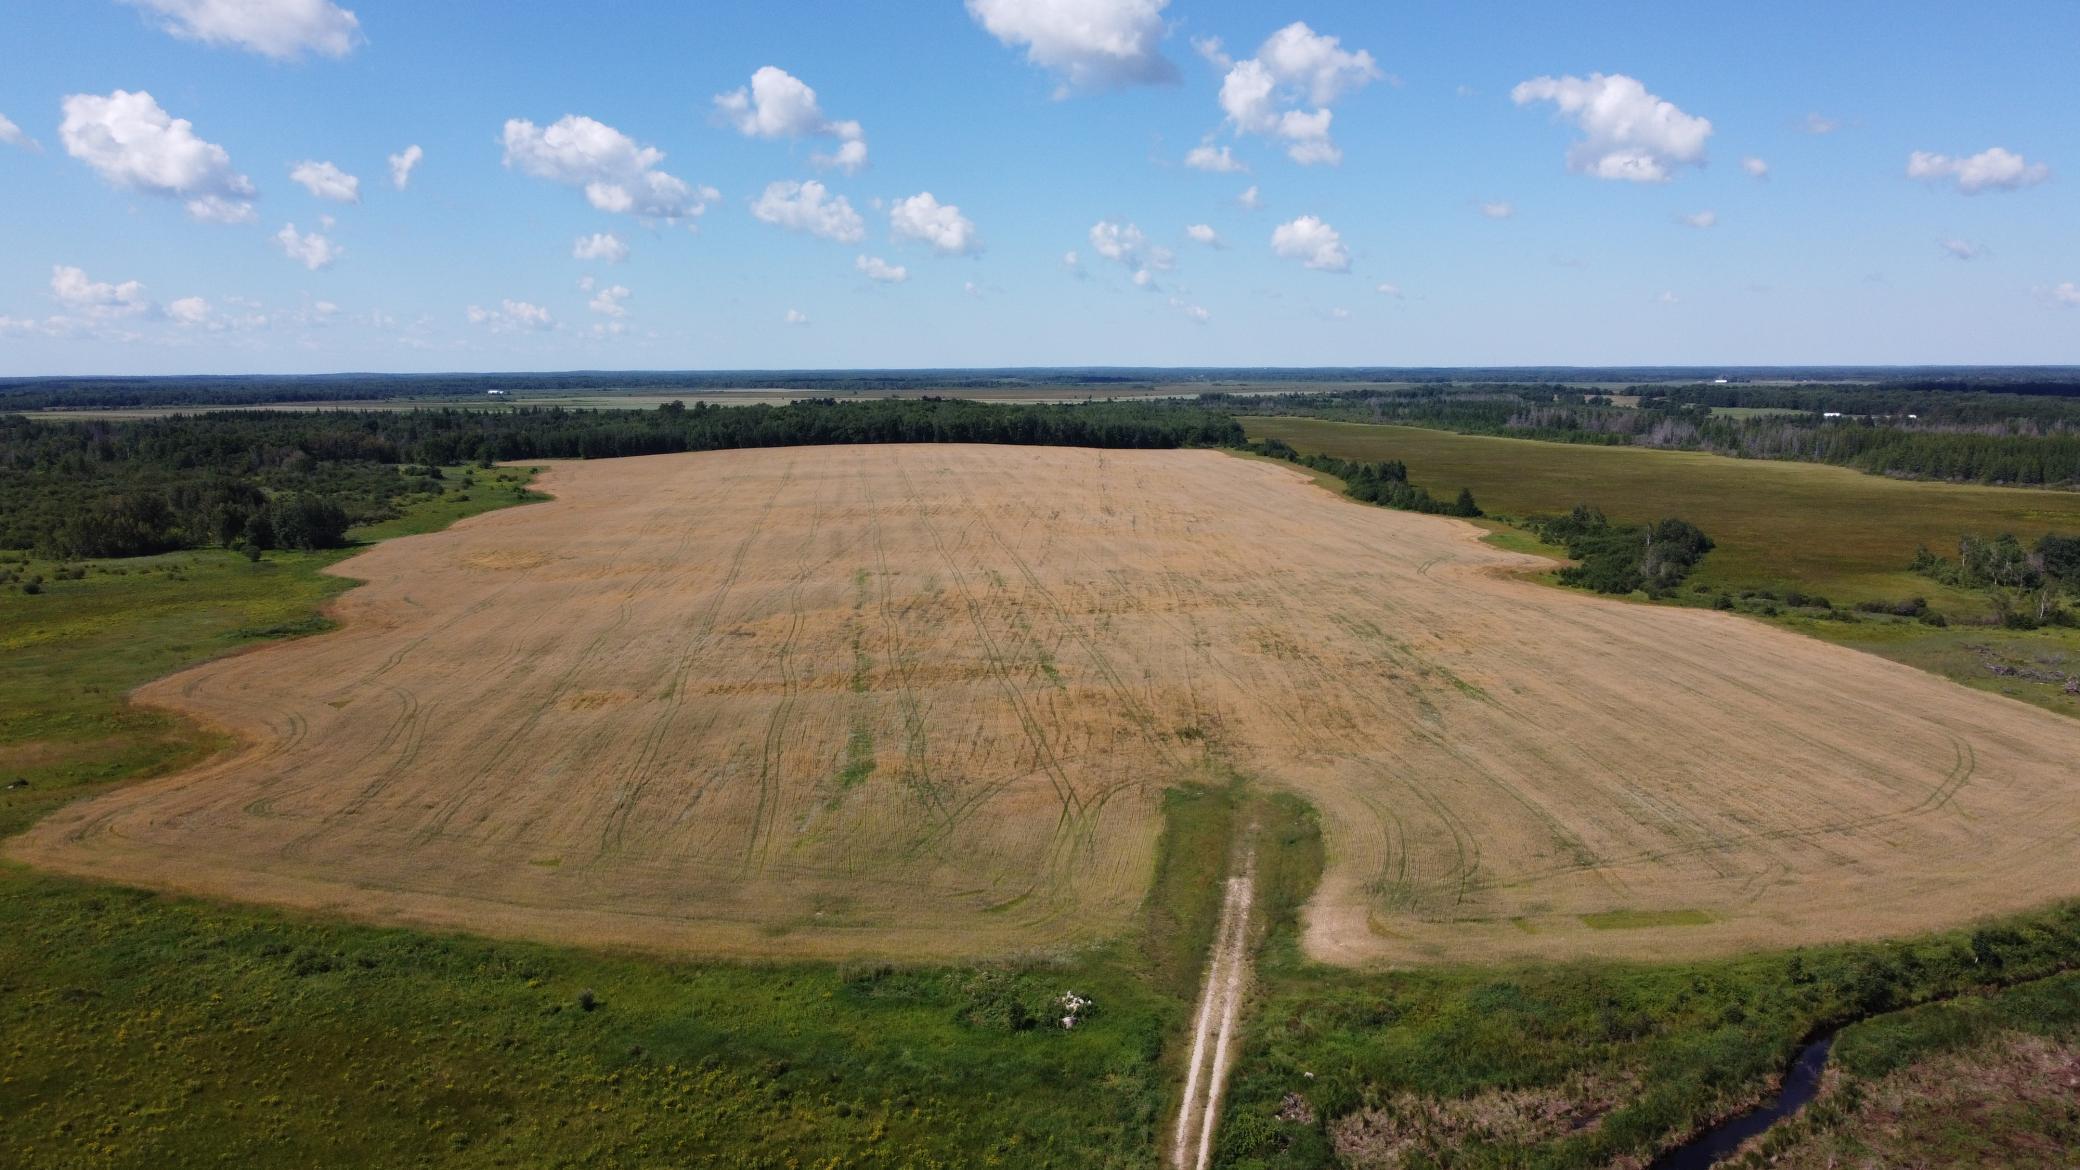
(301, 480)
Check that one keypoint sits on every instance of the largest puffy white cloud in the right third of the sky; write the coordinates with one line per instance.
(1626, 132)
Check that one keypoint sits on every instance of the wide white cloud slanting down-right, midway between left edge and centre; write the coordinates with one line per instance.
(617, 174)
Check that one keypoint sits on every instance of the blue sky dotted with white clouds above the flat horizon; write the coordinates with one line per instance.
(1478, 213)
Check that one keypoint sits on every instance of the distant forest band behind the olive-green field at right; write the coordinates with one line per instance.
(1919, 434)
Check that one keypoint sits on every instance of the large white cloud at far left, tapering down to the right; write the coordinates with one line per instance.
(134, 145)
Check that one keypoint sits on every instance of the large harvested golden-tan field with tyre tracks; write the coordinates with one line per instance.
(922, 703)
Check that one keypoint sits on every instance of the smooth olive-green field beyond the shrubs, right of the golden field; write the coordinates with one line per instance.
(1777, 524)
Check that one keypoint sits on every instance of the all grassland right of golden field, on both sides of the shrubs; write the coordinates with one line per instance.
(1777, 526)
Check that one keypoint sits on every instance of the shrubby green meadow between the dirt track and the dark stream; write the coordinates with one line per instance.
(1594, 1065)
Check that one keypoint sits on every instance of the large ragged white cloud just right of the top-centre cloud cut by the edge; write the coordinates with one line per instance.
(1295, 68)
